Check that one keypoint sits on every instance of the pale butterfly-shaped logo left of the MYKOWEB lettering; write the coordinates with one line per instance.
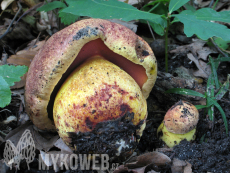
(25, 150)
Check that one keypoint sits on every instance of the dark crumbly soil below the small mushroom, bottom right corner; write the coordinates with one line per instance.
(209, 156)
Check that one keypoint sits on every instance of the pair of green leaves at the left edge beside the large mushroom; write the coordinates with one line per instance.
(9, 75)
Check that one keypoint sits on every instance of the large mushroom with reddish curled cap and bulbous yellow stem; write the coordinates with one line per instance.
(91, 81)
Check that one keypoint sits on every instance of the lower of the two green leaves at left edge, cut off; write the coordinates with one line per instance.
(5, 93)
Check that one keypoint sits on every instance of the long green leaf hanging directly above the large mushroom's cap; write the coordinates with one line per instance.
(109, 9)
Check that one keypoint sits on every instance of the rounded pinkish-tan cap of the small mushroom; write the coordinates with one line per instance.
(181, 118)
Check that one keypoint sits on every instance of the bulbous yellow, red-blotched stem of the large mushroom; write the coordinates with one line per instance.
(84, 101)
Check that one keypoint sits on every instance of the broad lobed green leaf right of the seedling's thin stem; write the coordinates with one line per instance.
(201, 28)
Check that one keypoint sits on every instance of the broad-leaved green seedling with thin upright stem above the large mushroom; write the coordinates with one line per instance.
(195, 22)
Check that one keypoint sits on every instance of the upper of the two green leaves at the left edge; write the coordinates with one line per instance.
(12, 74)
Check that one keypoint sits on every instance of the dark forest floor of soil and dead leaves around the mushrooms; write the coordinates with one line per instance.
(188, 68)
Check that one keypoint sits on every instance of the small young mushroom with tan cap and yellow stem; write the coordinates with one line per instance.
(179, 123)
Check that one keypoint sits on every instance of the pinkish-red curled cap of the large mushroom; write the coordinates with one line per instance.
(69, 48)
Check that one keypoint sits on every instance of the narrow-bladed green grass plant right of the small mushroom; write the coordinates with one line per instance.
(210, 96)
